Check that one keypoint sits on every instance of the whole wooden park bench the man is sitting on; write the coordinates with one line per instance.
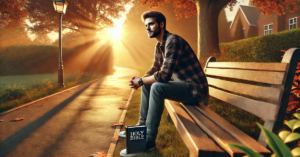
(262, 89)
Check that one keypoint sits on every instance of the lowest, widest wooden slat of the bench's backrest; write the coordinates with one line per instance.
(264, 110)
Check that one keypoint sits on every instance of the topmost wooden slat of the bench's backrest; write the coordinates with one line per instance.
(249, 65)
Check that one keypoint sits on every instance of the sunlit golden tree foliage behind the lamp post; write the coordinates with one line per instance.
(84, 16)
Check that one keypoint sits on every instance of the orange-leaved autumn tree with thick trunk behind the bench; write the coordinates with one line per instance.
(208, 11)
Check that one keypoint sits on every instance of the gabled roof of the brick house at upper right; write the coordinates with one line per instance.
(250, 13)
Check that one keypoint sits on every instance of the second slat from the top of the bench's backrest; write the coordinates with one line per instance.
(250, 75)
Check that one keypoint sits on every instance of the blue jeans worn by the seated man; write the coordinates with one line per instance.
(152, 103)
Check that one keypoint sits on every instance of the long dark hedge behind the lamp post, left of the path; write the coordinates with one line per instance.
(37, 59)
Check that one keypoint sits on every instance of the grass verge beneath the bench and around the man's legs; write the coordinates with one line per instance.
(169, 142)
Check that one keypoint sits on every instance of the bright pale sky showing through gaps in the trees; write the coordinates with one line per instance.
(119, 22)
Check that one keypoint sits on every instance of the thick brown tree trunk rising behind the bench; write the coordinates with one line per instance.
(207, 14)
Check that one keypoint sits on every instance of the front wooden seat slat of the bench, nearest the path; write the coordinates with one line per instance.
(194, 138)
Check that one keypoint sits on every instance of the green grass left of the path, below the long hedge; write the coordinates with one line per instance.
(36, 86)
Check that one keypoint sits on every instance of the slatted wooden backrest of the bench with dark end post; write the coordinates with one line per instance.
(279, 75)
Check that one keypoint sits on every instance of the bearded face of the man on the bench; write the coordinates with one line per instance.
(152, 27)
